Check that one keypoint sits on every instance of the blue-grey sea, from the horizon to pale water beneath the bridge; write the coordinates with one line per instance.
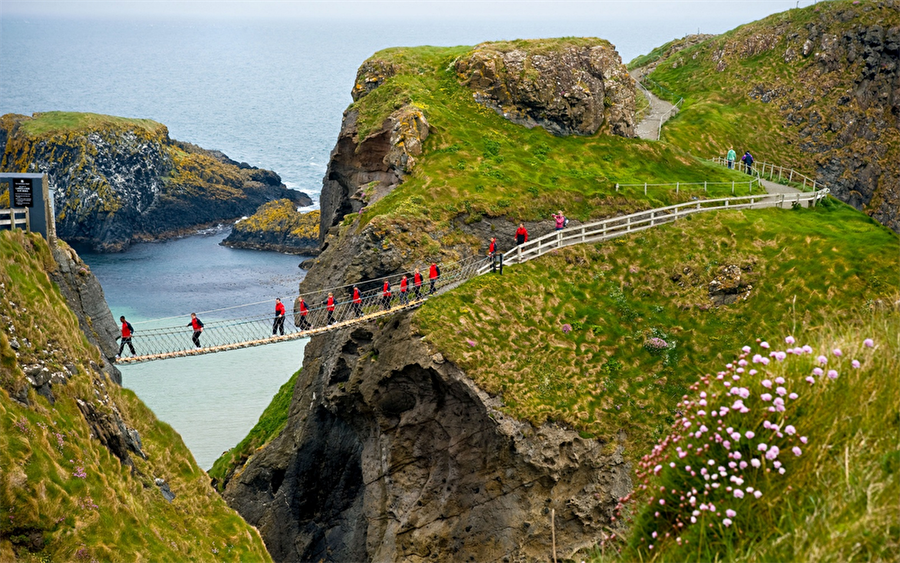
(269, 92)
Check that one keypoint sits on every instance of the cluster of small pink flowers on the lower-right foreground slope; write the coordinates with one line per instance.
(732, 436)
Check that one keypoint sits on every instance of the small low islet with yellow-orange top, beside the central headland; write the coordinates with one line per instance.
(279, 227)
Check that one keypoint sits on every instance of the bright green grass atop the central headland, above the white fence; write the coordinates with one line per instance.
(477, 162)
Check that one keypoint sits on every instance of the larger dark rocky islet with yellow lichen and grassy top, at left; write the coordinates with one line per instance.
(118, 181)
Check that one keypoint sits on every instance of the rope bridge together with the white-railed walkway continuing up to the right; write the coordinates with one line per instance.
(220, 335)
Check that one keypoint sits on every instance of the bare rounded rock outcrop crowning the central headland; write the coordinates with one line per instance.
(569, 91)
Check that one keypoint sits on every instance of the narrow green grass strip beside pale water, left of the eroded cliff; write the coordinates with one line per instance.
(270, 424)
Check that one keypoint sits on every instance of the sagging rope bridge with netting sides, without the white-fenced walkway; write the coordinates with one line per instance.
(238, 332)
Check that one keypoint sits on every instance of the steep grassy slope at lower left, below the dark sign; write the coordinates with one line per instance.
(109, 513)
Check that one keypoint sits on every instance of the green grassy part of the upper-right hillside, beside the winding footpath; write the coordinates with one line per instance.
(718, 112)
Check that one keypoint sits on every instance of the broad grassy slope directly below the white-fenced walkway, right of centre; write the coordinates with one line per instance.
(805, 266)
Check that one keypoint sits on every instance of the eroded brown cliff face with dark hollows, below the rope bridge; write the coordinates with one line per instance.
(405, 459)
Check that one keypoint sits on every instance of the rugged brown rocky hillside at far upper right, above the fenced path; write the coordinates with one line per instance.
(841, 98)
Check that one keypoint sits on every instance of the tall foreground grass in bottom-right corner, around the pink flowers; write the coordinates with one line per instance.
(838, 501)
